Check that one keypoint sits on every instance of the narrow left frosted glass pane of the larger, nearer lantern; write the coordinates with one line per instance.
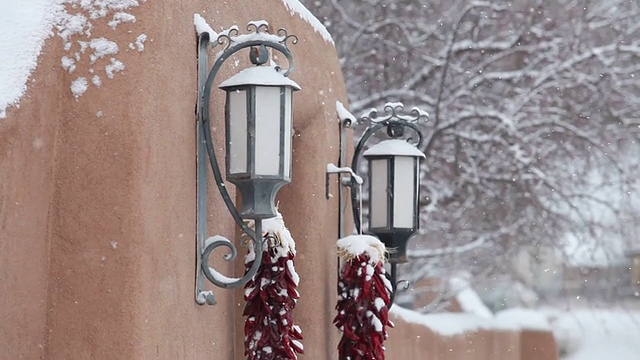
(237, 132)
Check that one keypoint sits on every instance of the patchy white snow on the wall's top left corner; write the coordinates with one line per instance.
(26, 25)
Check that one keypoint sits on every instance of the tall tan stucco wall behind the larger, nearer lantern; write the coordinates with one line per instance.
(97, 214)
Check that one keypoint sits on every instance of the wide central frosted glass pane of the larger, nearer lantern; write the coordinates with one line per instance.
(267, 130)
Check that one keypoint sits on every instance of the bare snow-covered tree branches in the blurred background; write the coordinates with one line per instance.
(527, 99)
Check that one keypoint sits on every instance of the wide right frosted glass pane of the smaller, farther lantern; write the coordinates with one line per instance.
(404, 192)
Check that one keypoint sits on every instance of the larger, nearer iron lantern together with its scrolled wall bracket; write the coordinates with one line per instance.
(258, 134)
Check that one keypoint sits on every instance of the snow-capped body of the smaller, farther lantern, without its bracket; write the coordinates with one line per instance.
(394, 187)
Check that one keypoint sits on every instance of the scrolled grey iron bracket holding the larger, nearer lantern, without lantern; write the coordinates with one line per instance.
(259, 40)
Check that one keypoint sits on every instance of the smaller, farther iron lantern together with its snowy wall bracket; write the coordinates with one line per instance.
(393, 178)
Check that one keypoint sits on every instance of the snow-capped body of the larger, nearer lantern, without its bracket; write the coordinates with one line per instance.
(259, 114)
